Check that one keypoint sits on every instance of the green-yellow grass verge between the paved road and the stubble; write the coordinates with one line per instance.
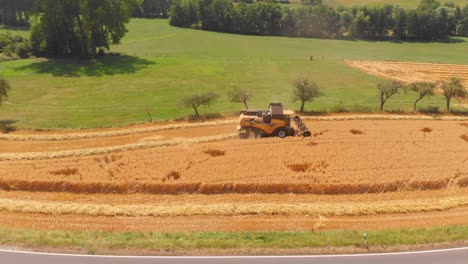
(94, 242)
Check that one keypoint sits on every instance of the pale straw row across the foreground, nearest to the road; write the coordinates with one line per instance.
(232, 209)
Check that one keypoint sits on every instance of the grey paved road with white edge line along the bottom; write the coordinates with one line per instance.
(450, 256)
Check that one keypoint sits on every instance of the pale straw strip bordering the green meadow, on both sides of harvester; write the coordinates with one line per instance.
(65, 135)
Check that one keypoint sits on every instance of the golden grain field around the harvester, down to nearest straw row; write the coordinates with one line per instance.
(409, 167)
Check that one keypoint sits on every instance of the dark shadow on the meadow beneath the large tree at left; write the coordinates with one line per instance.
(105, 65)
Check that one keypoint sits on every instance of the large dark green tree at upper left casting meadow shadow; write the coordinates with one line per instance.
(79, 28)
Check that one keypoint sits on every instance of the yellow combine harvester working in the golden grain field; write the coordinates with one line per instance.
(275, 122)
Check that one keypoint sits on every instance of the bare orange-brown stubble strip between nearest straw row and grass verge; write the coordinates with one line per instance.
(452, 217)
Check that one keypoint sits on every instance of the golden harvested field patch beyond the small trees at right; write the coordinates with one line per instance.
(412, 71)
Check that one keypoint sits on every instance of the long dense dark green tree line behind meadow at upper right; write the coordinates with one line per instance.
(431, 20)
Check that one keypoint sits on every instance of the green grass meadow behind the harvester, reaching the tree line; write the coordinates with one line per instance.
(161, 64)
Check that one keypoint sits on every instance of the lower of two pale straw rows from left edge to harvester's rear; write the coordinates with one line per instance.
(112, 149)
